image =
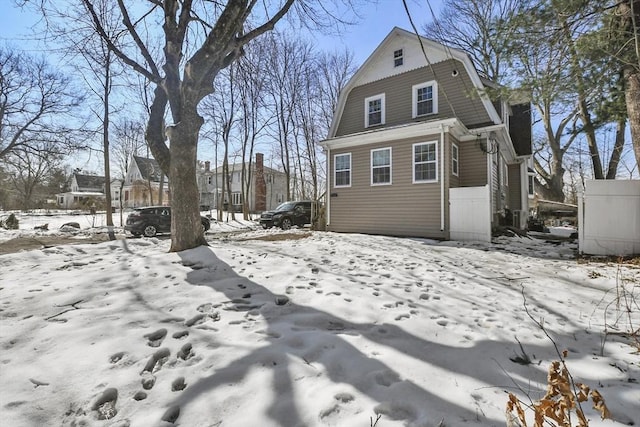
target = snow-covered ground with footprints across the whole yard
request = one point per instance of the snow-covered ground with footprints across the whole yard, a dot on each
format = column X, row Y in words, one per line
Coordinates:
column 267, row 328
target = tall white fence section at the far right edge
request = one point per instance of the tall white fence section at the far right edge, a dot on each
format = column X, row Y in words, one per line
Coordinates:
column 609, row 218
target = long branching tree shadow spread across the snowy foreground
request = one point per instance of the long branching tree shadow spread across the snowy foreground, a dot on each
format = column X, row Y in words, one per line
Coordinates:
column 301, row 340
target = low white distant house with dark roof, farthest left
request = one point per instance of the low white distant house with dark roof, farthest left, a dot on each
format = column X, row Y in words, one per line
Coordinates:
column 87, row 190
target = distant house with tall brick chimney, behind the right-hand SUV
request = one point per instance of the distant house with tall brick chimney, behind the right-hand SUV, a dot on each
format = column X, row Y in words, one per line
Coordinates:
column 267, row 188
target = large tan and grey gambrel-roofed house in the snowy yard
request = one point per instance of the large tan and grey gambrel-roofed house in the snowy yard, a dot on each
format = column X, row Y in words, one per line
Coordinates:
column 417, row 147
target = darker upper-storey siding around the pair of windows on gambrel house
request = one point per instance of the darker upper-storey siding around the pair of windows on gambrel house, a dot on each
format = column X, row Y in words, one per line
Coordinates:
column 458, row 90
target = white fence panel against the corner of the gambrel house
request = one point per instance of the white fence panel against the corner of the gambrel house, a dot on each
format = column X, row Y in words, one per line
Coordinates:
column 470, row 213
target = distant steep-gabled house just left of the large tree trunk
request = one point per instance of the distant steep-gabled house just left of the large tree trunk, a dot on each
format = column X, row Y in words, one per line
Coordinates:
column 142, row 184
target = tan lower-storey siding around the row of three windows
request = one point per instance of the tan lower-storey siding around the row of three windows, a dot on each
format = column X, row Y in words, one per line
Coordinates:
column 400, row 209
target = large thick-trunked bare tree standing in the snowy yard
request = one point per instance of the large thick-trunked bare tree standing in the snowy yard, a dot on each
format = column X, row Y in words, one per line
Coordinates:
column 184, row 77
